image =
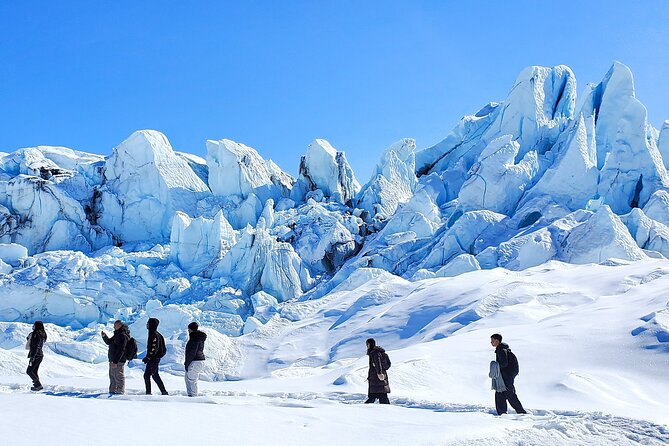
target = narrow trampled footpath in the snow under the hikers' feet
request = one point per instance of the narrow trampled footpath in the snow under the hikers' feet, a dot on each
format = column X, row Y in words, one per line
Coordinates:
column 540, row 427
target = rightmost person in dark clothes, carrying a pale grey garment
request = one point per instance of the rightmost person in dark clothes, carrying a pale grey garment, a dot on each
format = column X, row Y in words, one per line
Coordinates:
column 507, row 368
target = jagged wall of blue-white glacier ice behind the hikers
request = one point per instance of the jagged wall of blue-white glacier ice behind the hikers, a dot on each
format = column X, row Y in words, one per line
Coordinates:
column 542, row 175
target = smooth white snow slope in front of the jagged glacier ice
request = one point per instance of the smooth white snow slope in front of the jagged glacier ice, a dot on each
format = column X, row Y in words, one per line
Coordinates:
column 303, row 372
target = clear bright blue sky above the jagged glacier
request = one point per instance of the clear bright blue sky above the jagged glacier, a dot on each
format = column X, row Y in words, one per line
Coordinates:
column 277, row 74
